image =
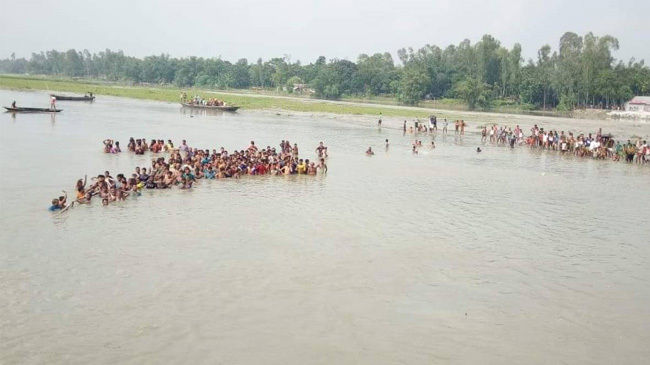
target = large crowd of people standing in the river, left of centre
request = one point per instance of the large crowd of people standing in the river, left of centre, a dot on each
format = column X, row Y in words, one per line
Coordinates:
column 184, row 166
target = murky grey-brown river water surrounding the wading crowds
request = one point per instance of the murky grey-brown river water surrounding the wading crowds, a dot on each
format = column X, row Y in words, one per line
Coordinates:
column 449, row 256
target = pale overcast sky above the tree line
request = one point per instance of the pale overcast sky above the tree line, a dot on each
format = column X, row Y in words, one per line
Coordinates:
column 306, row 29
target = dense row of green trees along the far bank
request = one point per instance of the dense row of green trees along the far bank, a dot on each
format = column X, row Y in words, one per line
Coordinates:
column 580, row 73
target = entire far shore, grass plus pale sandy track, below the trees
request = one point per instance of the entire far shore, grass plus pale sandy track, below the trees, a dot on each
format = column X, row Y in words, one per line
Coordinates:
column 265, row 101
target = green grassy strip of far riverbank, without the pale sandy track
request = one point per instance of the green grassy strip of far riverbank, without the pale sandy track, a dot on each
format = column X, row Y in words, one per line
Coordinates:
column 171, row 94
